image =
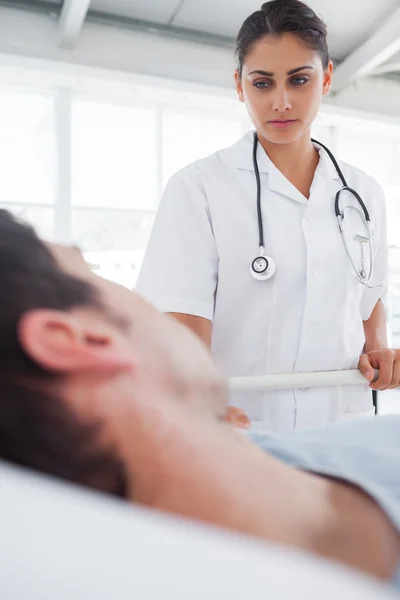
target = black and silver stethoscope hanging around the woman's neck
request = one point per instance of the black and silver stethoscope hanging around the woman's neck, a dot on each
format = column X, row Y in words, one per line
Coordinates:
column 263, row 267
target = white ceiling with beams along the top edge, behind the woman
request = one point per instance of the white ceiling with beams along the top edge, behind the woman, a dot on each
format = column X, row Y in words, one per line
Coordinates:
column 364, row 37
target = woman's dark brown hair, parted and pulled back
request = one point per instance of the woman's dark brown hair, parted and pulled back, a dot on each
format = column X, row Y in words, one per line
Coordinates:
column 278, row 17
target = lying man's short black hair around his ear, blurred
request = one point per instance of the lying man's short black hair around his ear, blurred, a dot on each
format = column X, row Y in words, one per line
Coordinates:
column 37, row 428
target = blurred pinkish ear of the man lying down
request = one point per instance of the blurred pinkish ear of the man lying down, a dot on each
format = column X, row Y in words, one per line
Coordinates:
column 67, row 342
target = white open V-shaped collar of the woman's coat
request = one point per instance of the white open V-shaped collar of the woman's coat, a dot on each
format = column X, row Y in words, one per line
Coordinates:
column 326, row 174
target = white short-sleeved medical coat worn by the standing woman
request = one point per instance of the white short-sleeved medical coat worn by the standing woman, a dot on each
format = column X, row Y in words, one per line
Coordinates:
column 308, row 317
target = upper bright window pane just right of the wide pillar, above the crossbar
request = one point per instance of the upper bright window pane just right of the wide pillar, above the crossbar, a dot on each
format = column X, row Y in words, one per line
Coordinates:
column 114, row 156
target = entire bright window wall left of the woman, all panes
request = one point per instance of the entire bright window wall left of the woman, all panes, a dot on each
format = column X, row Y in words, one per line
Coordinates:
column 120, row 158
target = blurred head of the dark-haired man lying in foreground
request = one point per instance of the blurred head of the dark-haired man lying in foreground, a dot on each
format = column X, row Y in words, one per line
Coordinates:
column 80, row 355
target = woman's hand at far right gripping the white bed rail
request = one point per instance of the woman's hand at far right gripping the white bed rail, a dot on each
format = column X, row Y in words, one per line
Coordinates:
column 387, row 360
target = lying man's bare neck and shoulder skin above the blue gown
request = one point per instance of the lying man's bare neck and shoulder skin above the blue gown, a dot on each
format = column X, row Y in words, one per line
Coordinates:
column 201, row 469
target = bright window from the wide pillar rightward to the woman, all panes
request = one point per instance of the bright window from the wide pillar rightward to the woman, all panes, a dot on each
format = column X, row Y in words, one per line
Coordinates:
column 118, row 170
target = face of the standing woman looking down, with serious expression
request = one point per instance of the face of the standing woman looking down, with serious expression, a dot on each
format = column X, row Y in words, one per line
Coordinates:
column 282, row 83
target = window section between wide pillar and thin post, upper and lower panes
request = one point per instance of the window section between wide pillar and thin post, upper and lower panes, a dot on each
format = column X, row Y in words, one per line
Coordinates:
column 115, row 186
